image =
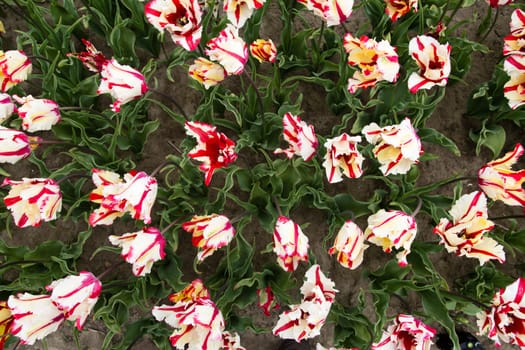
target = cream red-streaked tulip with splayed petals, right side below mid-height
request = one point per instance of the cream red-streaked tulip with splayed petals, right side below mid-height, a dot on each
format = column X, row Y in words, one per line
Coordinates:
column 464, row 234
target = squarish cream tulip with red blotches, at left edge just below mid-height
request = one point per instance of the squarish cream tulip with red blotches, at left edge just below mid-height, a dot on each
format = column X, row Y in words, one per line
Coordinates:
column 32, row 201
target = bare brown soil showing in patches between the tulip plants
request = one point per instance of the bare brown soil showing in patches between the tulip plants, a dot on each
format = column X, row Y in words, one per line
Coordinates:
column 448, row 119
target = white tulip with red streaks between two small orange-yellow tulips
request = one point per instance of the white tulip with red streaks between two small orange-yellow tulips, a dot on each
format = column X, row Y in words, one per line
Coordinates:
column 229, row 49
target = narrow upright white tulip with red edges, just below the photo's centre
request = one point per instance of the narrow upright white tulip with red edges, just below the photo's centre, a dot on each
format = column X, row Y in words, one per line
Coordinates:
column 290, row 244
